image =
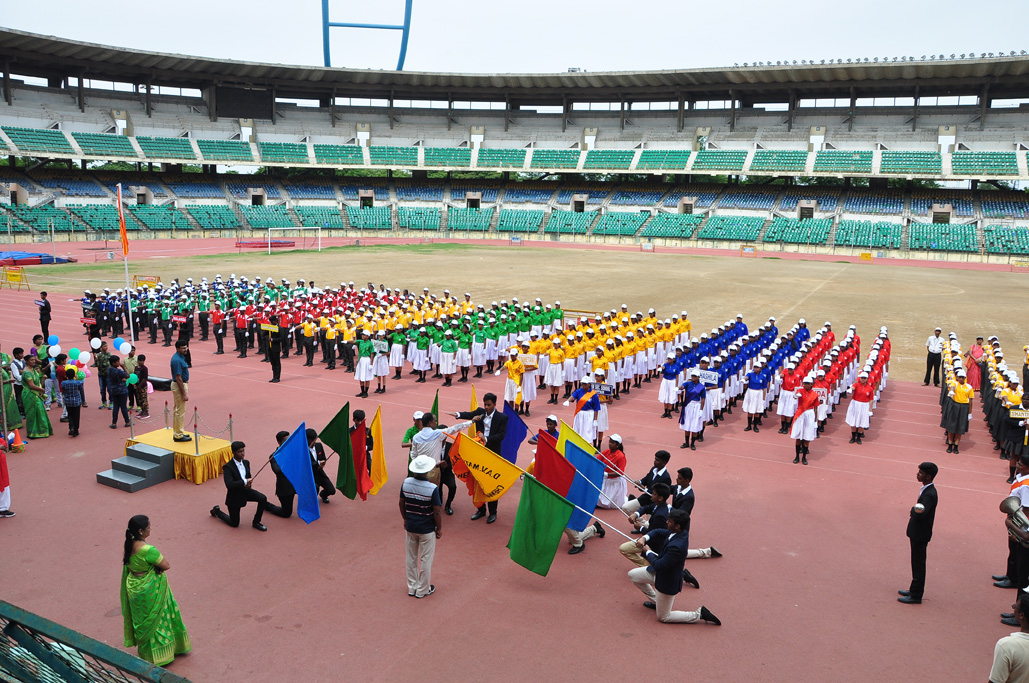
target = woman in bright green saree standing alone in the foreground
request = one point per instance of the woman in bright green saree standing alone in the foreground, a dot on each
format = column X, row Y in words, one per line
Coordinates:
column 152, row 618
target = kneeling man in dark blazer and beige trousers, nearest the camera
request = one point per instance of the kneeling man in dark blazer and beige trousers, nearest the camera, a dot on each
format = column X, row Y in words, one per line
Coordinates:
column 663, row 580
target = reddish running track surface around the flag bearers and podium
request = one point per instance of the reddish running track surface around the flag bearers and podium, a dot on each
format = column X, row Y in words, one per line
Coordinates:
column 806, row 590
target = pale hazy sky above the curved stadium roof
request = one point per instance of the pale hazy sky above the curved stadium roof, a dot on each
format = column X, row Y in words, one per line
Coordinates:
column 538, row 35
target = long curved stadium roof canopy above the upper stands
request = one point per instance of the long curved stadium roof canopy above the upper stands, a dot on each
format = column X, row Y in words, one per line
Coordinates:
column 34, row 55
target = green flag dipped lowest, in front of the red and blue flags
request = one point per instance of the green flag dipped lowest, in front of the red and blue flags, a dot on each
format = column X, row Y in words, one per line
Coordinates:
column 540, row 524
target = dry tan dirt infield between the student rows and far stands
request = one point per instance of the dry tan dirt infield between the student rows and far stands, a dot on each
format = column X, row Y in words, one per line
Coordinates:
column 910, row 301
